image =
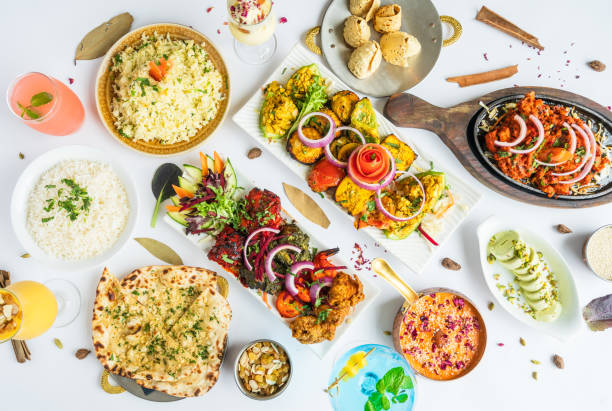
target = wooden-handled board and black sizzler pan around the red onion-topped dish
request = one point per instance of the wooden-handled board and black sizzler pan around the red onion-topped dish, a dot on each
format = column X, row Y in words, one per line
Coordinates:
column 458, row 128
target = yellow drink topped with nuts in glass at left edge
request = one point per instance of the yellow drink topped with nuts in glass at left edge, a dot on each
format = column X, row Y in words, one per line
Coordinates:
column 37, row 309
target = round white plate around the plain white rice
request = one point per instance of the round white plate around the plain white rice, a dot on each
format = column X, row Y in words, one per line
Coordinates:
column 28, row 180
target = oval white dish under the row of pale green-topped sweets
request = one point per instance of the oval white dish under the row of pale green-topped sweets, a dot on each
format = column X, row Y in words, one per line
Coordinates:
column 570, row 320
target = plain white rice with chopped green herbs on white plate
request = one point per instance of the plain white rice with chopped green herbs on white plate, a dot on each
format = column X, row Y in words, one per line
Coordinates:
column 94, row 230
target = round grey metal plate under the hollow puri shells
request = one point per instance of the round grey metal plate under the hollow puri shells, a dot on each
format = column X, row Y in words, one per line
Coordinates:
column 419, row 18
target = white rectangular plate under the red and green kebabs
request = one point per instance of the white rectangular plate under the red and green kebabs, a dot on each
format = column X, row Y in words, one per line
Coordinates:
column 205, row 242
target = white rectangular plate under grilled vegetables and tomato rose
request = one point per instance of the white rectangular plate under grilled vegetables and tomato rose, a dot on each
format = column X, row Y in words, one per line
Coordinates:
column 413, row 251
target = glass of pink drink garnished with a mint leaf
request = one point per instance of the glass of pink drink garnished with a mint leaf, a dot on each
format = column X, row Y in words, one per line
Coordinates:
column 63, row 115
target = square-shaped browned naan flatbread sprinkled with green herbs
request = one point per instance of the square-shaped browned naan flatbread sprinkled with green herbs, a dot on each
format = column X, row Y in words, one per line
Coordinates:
column 163, row 326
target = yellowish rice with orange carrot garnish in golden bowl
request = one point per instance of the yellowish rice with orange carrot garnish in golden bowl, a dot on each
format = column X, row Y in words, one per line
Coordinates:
column 173, row 109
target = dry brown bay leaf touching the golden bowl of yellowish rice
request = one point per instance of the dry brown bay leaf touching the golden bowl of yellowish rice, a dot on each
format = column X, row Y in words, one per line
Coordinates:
column 97, row 42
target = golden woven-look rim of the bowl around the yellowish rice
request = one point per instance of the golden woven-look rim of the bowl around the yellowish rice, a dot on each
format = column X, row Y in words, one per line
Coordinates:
column 104, row 91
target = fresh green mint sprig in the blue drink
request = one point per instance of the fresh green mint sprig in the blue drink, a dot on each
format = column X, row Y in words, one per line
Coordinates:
column 394, row 382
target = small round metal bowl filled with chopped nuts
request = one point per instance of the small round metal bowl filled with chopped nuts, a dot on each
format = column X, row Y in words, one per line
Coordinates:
column 263, row 368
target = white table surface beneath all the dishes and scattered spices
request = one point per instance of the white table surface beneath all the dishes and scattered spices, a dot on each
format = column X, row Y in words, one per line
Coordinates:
column 41, row 36
